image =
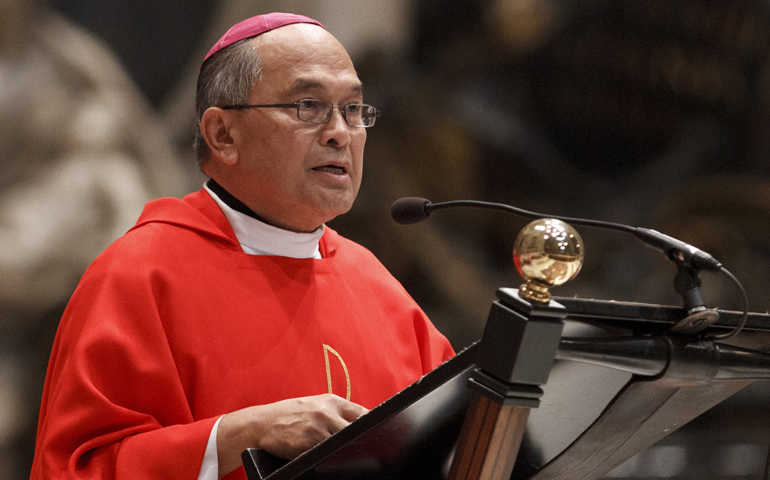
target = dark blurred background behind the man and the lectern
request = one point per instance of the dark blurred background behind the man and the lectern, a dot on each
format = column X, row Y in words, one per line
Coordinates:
column 645, row 112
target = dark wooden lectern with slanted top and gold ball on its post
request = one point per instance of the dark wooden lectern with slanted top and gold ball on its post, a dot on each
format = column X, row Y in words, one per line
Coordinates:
column 658, row 368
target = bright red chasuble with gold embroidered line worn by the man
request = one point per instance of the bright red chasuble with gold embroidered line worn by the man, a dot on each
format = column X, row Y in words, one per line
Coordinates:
column 174, row 326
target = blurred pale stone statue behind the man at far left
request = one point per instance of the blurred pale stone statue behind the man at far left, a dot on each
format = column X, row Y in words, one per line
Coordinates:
column 81, row 152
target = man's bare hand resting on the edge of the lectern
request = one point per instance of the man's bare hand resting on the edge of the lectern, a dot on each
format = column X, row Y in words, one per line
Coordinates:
column 285, row 429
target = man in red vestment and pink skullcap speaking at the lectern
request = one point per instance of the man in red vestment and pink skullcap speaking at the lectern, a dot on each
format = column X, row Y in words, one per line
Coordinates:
column 233, row 318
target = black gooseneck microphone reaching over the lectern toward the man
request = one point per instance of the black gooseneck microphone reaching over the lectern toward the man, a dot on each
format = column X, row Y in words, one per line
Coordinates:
column 410, row 210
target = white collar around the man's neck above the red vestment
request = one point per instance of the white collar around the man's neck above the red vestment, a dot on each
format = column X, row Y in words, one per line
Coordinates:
column 259, row 238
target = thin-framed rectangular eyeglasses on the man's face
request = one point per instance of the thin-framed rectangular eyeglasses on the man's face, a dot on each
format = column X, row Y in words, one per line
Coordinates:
column 319, row 111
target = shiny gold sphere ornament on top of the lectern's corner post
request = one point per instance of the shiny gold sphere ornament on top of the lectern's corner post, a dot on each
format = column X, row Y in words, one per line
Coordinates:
column 547, row 253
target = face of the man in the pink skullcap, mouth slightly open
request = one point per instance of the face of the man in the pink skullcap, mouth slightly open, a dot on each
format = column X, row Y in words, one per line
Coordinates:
column 295, row 174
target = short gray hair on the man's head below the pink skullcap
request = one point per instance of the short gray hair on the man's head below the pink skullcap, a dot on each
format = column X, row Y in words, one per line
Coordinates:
column 226, row 78
